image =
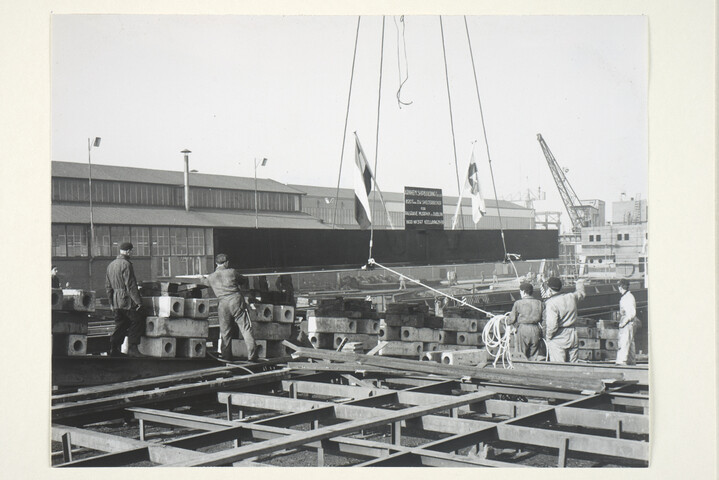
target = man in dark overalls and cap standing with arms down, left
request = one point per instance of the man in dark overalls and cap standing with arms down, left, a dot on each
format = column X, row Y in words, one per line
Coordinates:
column 125, row 303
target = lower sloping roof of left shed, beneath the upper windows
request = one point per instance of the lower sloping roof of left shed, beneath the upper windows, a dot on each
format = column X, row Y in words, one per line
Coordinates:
column 176, row 217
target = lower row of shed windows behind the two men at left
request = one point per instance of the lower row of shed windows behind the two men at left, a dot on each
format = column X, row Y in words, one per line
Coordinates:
column 72, row 241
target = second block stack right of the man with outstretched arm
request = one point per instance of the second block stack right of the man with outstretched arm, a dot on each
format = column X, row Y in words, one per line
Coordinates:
column 334, row 320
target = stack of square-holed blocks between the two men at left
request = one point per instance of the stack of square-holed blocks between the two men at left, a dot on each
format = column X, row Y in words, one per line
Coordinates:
column 175, row 327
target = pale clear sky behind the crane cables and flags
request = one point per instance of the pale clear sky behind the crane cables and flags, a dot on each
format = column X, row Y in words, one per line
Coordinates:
column 236, row 88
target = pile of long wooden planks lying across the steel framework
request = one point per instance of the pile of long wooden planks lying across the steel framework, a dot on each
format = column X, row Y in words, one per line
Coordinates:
column 585, row 381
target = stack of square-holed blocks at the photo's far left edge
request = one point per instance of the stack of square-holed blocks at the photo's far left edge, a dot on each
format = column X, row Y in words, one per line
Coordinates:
column 70, row 315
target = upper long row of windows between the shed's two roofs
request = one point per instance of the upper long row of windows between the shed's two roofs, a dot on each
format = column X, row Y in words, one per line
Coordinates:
column 126, row 193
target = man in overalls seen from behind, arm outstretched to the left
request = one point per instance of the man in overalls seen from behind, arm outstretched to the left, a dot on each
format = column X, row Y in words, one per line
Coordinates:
column 226, row 282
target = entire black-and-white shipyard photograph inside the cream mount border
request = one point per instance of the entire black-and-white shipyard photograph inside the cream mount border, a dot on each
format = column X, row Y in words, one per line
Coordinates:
column 374, row 241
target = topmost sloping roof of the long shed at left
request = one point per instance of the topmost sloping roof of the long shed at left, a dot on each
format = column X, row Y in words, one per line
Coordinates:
column 166, row 177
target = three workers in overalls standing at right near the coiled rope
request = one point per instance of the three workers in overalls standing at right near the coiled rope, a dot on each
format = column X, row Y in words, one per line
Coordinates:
column 552, row 323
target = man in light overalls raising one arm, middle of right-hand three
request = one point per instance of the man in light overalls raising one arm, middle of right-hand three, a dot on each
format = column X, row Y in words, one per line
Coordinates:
column 560, row 315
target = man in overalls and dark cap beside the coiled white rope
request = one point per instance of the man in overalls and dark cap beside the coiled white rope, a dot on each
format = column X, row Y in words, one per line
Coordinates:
column 527, row 313
